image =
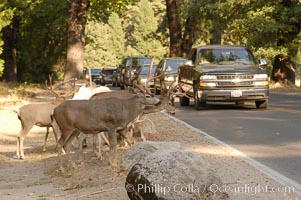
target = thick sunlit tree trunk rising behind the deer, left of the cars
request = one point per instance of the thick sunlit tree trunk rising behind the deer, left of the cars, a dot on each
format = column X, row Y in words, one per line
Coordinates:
column 78, row 13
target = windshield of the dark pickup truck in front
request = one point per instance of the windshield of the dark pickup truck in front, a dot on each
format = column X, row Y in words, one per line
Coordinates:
column 226, row 56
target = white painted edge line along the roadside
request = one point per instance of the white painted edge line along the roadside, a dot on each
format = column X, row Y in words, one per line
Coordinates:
column 283, row 180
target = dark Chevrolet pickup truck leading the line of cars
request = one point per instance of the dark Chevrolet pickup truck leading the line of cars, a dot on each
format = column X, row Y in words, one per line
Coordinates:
column 220, row 73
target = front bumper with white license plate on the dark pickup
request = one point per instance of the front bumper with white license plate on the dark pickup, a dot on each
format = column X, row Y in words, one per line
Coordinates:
column 233, row 95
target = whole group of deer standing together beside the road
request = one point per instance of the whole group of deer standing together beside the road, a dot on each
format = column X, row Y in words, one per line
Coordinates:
column 105, row 111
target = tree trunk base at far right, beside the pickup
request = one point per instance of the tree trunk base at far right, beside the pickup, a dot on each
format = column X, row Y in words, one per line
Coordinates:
column 283, row 70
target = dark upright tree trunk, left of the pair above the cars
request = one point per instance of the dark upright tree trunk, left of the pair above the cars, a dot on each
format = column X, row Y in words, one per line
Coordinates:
column 174, row 25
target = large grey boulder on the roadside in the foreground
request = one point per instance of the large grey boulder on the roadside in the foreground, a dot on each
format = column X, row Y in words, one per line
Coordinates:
column 167, row 173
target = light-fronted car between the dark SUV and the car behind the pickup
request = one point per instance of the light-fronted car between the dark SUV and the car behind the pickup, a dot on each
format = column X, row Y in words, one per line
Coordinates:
column 144, row 76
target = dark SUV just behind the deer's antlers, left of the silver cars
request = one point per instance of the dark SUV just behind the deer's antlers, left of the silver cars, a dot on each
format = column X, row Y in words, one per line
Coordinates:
column 130, row 68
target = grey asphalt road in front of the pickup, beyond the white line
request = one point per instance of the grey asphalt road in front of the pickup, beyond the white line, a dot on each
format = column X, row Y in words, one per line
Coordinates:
column 272, row 136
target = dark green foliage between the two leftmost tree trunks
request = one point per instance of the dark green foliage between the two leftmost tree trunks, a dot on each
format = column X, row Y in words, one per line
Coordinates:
column 43, row 39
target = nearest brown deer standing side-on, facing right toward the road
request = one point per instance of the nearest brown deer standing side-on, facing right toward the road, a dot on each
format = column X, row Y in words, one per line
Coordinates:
column 111, row 115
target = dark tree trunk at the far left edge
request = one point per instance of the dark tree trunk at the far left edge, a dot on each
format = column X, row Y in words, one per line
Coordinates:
column 10, row 35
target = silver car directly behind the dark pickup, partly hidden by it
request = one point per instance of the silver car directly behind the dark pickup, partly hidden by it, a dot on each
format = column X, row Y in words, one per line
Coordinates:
column 166, row 73
